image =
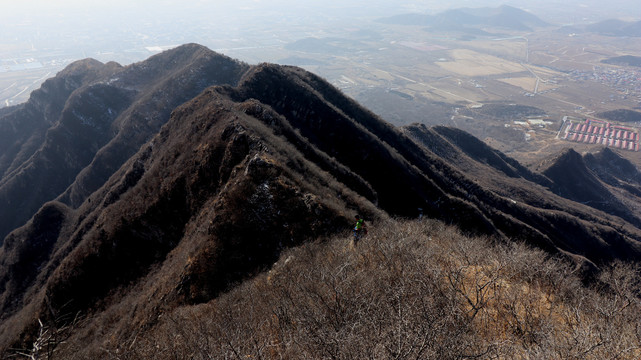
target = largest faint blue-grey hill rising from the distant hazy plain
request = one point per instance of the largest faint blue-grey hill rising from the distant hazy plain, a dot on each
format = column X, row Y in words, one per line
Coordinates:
column 465, row 19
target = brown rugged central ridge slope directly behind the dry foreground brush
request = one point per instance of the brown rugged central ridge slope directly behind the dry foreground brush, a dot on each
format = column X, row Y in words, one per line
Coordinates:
column 213, row 197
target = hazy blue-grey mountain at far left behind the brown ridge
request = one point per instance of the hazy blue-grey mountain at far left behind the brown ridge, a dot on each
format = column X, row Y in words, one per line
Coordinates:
column 89, row 120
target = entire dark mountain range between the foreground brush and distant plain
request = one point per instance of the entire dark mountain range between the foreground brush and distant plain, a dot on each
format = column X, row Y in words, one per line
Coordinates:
column 164, row 183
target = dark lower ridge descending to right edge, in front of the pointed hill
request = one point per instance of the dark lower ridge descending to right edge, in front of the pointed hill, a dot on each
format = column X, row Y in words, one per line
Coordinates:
column 522, row 205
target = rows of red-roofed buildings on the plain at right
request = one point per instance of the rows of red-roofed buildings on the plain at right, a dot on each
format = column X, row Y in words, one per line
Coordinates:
column 602, row 133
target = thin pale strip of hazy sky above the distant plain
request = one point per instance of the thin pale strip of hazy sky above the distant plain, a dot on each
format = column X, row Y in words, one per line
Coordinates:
column 56, row 8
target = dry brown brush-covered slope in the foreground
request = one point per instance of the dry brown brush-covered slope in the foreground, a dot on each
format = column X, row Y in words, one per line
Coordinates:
column 410, row 290
